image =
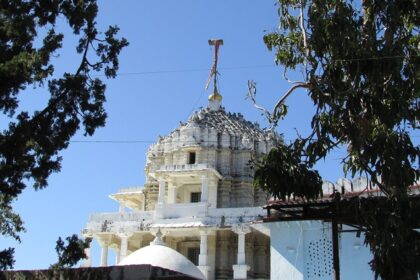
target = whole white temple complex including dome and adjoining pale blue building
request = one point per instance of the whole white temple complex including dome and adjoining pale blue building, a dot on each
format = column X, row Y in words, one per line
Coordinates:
column 199, row 214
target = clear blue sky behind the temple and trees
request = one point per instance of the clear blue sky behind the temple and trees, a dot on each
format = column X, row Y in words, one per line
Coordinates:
column 164, row 36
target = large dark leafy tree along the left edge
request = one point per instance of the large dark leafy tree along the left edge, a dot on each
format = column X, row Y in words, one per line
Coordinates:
column 30, row 145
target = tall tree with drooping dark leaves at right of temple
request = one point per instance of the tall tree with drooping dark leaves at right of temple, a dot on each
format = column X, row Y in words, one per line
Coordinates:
column 361, row 65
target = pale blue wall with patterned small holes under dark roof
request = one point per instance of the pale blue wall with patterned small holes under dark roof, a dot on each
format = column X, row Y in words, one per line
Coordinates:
column 303, row 250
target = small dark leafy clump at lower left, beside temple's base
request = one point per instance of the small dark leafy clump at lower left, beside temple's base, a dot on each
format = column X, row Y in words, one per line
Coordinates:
column 70, row 254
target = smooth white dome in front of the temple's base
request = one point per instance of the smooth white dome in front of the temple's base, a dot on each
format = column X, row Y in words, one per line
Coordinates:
column 165, row 257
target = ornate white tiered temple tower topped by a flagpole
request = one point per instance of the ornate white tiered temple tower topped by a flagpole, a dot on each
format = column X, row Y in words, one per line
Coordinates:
column 198, row 195
